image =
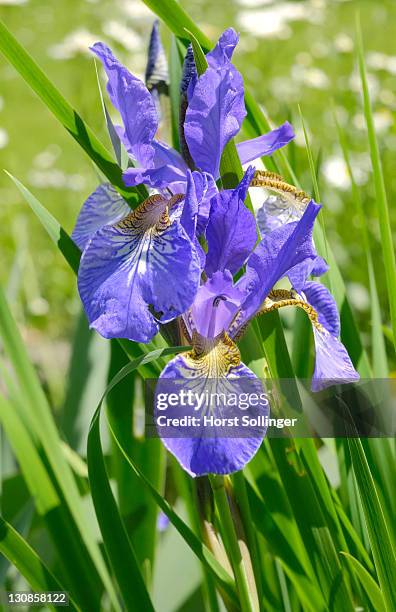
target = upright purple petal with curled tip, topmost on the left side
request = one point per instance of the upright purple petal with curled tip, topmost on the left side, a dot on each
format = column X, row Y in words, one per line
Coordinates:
column 132, row 99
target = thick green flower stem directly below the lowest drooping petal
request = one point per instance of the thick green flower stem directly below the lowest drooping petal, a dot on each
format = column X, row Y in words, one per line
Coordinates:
column 231, row 543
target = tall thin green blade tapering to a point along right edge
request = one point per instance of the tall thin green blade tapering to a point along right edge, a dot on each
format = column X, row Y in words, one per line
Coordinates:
column 389, row 259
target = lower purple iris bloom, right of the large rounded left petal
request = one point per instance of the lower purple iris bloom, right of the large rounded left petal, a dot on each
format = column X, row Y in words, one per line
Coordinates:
column 222, row 308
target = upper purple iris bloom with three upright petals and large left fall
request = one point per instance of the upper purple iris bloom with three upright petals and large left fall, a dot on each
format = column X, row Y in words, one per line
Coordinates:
column 141, row 269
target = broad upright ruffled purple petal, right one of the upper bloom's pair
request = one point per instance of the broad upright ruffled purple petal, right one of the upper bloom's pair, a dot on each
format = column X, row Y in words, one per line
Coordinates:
column 214, row 115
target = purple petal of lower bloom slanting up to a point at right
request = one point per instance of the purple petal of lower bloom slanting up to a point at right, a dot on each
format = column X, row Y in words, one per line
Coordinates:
column 277, row 253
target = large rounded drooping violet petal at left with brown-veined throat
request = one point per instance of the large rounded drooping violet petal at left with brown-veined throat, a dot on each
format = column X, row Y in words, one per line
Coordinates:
column 137, row 273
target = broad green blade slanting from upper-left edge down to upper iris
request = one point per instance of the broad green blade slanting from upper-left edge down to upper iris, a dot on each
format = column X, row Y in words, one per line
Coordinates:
column 66, row 115
